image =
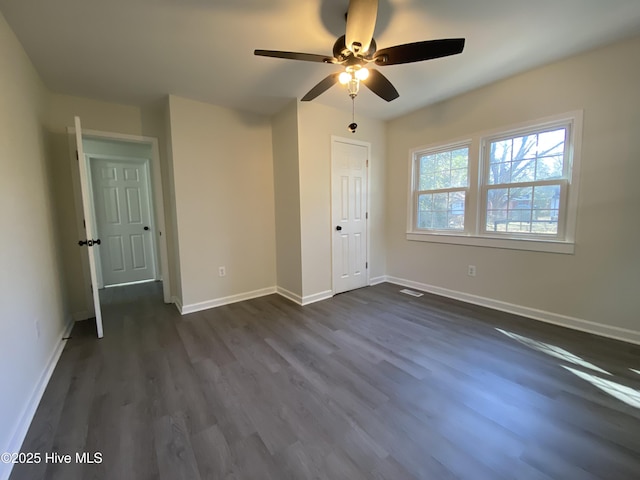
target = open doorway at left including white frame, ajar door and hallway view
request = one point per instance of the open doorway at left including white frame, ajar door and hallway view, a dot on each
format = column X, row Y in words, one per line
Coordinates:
column 120, row 210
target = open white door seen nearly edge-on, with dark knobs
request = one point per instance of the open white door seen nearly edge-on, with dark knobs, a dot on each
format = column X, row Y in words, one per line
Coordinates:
column 89, row 227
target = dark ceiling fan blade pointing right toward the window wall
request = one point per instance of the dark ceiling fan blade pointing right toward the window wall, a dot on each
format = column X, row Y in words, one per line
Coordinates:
column 419, row 51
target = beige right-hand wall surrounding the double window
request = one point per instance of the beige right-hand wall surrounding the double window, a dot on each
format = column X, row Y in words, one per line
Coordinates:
column 600, row 283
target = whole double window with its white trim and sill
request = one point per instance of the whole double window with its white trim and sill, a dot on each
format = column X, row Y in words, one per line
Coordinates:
column 513, row 188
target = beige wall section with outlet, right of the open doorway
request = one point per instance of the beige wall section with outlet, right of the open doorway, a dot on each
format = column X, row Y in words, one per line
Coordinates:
column 223, row 175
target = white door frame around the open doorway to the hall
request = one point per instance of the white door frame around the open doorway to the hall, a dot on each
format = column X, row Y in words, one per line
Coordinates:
column 157, row 197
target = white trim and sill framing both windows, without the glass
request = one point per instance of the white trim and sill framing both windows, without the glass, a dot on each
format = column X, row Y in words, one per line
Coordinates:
column 474, row 213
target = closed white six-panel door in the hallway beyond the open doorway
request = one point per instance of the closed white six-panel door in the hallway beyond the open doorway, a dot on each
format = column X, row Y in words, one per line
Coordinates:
column 123, row 216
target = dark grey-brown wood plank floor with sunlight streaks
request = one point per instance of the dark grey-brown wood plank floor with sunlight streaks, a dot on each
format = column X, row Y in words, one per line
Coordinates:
column 371, row 384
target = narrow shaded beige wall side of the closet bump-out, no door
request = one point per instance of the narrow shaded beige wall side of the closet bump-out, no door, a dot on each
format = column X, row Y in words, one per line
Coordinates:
column 286, row 173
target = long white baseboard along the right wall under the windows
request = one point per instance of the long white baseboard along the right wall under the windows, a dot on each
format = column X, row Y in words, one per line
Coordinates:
column 617, row 333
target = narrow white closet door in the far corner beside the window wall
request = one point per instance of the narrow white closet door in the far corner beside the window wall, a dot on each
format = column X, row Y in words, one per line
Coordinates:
column 349, row 213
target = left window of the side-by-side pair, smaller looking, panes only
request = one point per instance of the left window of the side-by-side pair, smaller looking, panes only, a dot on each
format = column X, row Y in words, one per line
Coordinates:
column 442, row 183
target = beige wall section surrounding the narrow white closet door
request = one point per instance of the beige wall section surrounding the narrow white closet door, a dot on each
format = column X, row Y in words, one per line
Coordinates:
column 316, row 124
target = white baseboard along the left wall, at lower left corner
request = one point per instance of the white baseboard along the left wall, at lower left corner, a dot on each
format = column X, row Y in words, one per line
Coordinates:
column 29, row 411
